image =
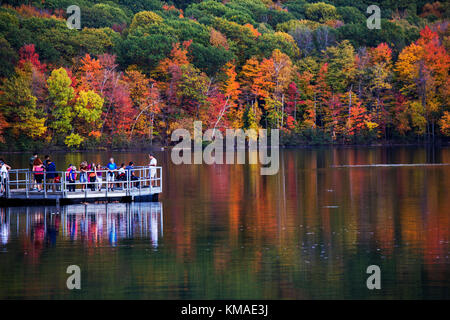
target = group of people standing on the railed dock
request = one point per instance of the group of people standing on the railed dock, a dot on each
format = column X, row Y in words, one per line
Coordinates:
column 89, row 175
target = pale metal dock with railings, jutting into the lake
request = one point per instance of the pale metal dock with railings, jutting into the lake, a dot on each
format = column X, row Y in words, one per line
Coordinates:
column 144, row 184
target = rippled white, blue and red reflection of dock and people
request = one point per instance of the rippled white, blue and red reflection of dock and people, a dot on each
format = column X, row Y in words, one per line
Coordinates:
column 106, row 223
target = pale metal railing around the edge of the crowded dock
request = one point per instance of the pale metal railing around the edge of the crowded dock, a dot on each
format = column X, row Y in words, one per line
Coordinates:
column 132, row 181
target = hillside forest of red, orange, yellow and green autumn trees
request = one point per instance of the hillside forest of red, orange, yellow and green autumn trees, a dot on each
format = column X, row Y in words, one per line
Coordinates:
column 138, row 69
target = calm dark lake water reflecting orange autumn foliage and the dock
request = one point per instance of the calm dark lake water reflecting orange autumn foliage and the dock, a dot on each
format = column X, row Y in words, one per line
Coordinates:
column 225, row 231
